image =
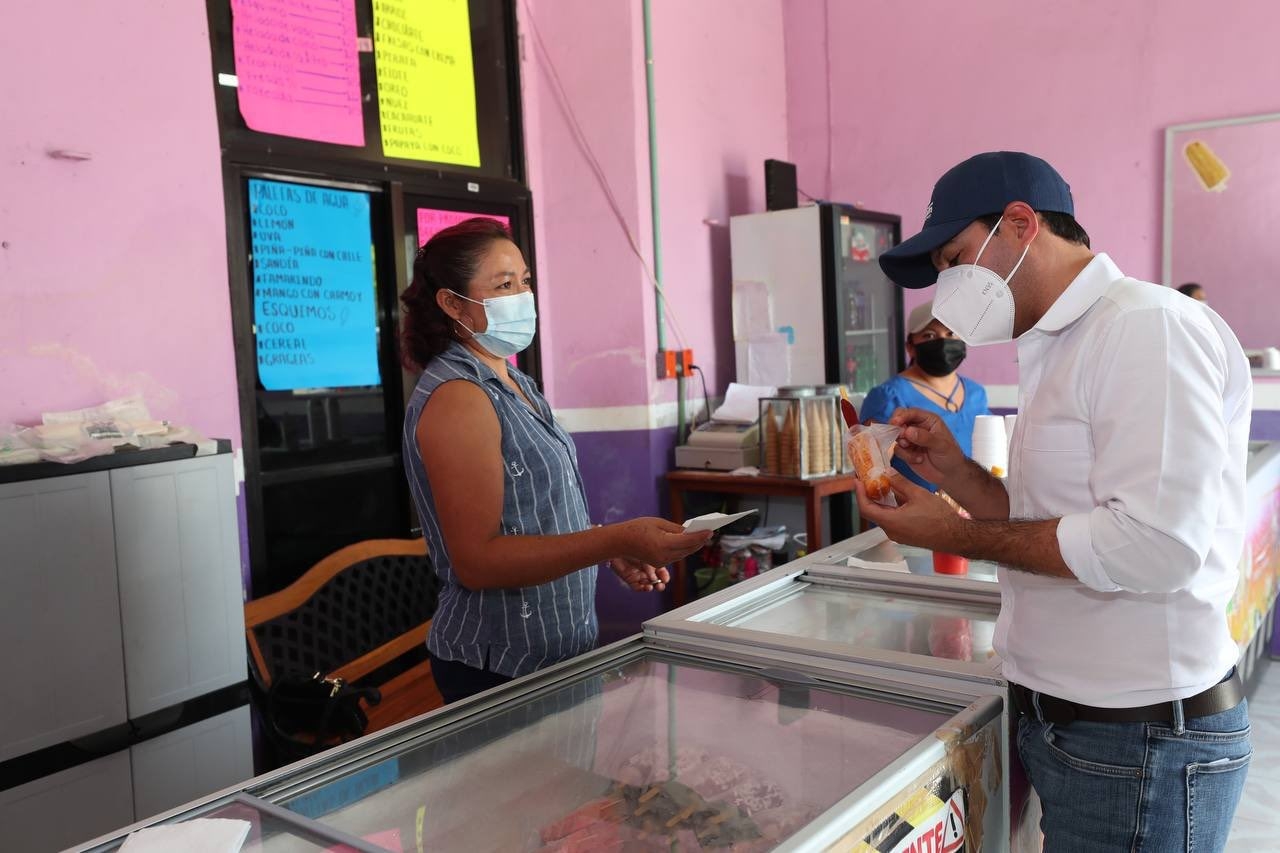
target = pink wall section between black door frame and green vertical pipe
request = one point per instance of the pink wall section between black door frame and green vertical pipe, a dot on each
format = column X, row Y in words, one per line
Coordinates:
column 597, row 316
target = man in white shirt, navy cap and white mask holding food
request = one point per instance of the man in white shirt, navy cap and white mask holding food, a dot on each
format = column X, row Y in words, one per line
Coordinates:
column 1121, row 530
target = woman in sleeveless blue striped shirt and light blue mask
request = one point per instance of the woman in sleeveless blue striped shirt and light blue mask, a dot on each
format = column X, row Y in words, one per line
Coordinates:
column 496, row 481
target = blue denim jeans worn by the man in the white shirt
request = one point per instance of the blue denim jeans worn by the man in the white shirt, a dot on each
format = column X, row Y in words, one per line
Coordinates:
column 1137, row 786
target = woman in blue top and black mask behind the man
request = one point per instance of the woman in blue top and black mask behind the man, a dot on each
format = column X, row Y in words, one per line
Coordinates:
column 931, row 384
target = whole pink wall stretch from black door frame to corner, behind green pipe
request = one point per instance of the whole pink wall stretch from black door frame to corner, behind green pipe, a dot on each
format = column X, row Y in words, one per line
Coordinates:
column 721, row 101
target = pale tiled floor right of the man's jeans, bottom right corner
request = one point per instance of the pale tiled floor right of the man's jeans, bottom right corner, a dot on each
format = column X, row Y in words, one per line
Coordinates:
column 1258, row 820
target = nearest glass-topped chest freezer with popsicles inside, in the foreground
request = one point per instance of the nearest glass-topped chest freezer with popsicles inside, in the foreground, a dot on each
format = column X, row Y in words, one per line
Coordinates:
column 651, row 745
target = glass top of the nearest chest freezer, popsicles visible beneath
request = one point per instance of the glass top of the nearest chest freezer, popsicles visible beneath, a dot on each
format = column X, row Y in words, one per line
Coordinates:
column 509, row 769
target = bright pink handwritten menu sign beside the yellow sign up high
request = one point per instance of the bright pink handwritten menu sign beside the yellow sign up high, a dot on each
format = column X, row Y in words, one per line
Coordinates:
column 299, row 70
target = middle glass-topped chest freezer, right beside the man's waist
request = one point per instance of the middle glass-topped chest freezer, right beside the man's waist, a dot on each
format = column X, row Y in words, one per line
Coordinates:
column 860, row 608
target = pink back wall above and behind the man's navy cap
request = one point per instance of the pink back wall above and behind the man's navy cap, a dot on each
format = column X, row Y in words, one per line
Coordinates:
column 1090, row 86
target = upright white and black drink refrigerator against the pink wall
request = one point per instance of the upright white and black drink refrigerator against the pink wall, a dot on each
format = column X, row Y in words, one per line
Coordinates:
column 811, row 304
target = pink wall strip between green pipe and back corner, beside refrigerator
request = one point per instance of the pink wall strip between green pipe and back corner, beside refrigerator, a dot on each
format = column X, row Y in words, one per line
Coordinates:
column 721, row 95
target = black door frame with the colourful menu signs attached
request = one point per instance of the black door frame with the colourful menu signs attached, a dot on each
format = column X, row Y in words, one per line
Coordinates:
column 252, row 156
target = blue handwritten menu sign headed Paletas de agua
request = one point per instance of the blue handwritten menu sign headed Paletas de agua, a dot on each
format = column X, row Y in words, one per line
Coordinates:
column 314, row 311
